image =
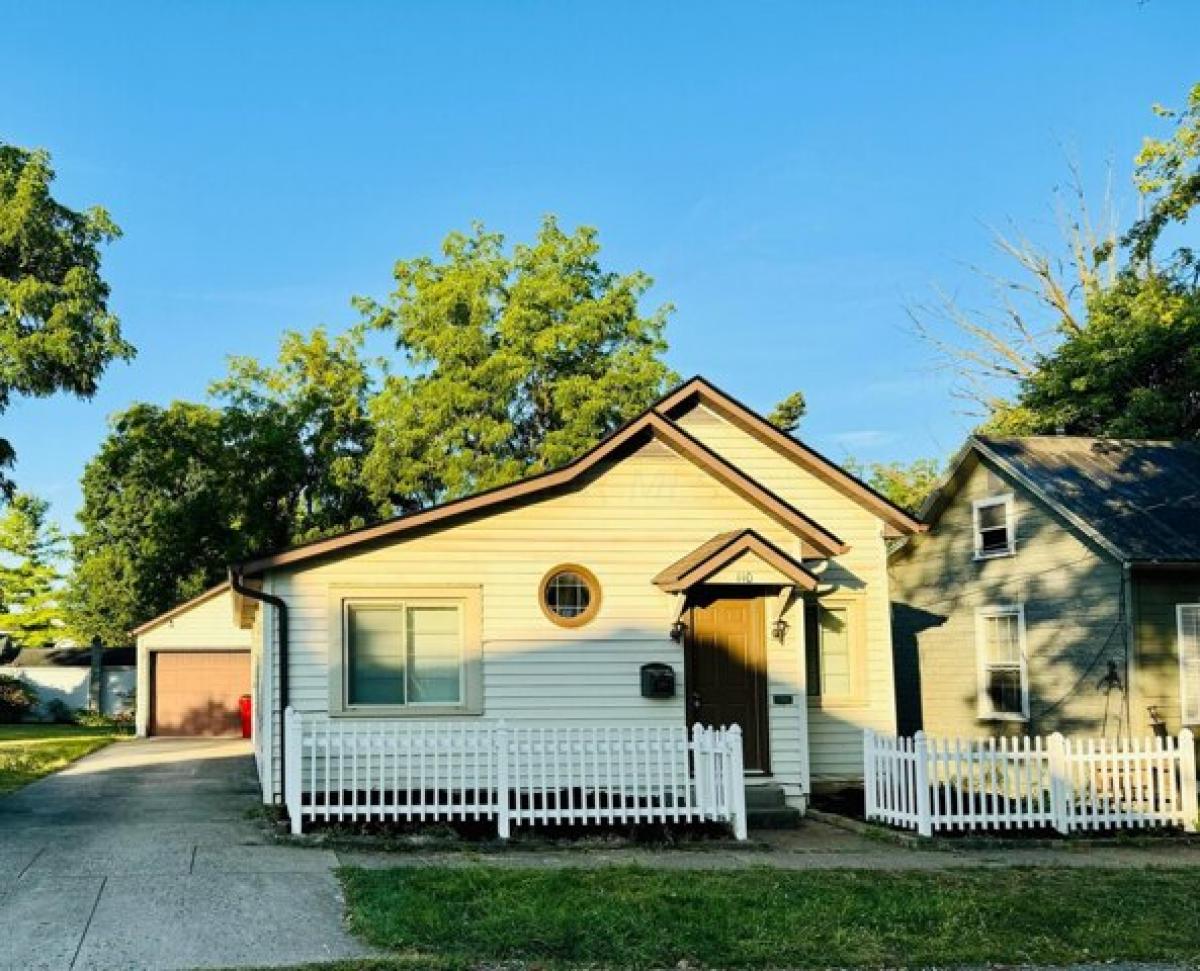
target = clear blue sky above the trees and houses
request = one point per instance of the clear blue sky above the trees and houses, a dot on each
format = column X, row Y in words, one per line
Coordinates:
column 793, row 176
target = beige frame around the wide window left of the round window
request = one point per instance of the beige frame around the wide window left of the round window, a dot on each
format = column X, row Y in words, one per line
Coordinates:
column 470, row 603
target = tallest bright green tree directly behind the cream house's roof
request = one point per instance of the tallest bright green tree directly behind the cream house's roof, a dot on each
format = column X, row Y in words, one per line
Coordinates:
column 518, row 363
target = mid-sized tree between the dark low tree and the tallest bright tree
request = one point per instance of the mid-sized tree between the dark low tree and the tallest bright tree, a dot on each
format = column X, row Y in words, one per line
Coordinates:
column 311, row 409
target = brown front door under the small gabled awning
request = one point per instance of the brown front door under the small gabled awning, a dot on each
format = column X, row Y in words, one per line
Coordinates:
column 725, row 668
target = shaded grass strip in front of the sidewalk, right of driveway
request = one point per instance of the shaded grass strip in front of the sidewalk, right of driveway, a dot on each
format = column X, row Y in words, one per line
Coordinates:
column 628, row 918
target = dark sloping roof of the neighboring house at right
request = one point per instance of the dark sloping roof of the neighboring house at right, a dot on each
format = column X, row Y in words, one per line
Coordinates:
column 1139, row 499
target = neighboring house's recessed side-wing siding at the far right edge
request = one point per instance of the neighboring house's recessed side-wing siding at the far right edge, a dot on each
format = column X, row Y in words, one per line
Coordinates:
column 1156, row 596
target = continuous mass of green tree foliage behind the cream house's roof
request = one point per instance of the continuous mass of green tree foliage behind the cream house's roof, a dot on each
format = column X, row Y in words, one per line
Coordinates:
column 517, row 362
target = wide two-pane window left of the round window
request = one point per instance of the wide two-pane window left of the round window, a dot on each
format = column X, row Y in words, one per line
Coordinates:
column 406, row 655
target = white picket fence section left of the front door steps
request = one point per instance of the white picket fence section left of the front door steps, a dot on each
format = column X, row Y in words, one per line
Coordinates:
column 394, row 771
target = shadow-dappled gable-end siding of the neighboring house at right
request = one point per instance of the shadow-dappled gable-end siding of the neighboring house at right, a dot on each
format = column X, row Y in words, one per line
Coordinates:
column 1073, row 596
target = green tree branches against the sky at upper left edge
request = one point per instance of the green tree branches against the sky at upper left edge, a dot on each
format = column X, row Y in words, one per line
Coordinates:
column 57, row 333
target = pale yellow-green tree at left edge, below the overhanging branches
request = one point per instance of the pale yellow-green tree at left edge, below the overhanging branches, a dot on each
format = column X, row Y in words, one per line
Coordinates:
column 31, row 549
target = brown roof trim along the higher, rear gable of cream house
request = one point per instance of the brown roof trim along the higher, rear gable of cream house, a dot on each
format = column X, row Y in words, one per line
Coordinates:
column 830, row 472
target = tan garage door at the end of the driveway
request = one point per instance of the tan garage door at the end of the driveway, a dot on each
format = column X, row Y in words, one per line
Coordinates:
column 197, row 692
